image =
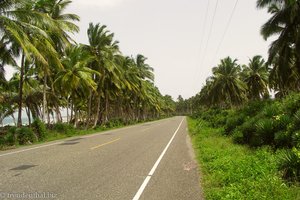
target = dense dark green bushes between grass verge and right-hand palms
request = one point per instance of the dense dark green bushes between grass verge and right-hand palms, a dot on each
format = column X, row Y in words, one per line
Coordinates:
column 275, row 123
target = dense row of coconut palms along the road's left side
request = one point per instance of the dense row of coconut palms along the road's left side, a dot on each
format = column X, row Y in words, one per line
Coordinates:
column 95, row 82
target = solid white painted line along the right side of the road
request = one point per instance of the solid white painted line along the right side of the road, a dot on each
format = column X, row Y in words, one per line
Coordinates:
column 147, row 179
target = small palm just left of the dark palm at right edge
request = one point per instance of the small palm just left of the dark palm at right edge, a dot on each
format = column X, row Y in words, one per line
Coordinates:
column 256, row 76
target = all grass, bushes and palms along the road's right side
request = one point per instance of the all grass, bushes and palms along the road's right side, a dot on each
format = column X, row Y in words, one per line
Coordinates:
column 245, row 121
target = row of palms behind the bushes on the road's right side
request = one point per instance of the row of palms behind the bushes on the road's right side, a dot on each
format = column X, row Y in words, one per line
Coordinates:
column 232, row 84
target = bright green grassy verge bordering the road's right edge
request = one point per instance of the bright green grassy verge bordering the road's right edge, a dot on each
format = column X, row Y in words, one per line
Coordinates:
column 231, row 171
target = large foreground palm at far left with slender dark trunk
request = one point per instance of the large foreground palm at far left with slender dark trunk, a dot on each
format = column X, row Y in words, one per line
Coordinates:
column 26, row 32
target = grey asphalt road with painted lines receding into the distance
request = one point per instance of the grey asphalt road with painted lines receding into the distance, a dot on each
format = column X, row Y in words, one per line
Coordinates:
column 147, row 161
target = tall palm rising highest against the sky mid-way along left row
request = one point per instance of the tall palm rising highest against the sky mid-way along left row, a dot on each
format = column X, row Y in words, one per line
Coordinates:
column 103, row 48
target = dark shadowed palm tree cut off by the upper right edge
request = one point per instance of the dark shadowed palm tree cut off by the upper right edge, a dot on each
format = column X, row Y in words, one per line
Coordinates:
column 284, row 52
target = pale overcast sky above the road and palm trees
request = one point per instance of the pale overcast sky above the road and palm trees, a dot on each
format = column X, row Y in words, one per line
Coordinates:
column 180, row 38
